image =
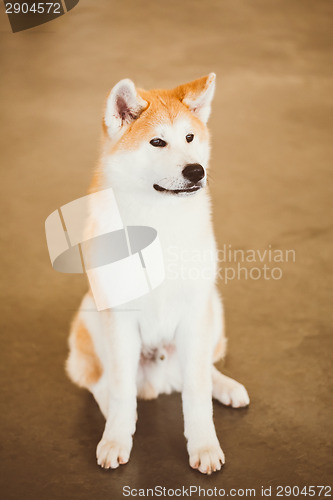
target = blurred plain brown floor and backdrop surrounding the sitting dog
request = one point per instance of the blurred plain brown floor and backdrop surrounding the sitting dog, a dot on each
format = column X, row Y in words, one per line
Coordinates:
column 271, row 185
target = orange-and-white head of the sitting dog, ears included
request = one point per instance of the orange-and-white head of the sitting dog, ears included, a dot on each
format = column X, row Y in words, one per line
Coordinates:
column 158, row 140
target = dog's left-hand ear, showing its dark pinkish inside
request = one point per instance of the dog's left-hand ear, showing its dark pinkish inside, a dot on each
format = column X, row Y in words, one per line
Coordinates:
column 123, row 106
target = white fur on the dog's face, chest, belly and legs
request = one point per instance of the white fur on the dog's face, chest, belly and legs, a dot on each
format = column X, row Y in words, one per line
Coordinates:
column 182, row 320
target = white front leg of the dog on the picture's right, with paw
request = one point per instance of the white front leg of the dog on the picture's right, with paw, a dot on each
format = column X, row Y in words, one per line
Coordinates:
column 195, row 351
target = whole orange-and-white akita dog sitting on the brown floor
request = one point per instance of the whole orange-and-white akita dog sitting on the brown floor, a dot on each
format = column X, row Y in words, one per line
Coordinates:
column 155, row 153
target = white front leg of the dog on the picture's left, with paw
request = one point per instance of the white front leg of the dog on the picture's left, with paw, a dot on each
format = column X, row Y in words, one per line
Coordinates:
column 122, row 349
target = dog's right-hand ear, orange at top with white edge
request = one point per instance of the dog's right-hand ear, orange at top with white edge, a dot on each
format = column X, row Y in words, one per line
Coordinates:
column 198, row 95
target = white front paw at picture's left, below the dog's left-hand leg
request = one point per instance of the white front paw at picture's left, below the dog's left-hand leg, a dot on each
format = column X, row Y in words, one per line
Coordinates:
column 112, row 453
